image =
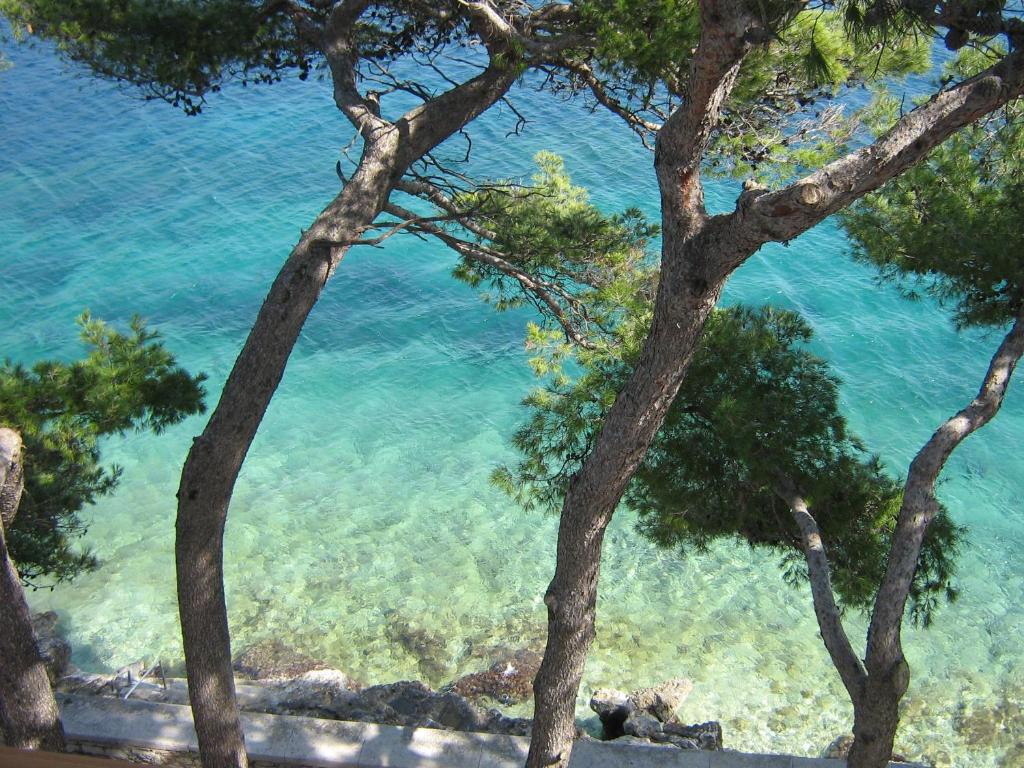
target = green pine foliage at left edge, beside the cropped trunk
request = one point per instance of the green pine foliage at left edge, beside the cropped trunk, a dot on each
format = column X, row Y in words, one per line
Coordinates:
column 126, row 382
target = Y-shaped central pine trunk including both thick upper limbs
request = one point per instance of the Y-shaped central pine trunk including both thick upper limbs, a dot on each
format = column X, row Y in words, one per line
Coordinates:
column 699, row 254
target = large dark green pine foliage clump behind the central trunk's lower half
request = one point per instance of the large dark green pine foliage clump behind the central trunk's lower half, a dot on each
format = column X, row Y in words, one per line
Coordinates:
column 755, row 407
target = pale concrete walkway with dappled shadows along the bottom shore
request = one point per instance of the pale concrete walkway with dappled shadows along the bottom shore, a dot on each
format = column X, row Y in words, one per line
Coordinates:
column 118, row 729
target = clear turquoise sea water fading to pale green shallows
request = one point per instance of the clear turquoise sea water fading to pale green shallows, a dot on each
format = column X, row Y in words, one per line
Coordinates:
column 364, row 530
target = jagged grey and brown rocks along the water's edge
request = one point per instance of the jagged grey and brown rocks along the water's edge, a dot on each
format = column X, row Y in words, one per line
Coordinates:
column 277, row 680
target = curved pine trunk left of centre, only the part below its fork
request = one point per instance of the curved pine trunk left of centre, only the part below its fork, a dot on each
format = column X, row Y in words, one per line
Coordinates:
column 217, row 456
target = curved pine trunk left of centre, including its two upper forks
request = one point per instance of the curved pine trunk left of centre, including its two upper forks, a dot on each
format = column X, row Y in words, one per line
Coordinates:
column 217, row 457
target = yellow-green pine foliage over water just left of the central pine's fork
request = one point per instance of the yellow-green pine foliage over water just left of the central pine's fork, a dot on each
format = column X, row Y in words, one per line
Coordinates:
column 593, row 265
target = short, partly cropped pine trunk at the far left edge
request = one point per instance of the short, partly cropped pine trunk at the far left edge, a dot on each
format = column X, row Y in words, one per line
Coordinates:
column 29, row 713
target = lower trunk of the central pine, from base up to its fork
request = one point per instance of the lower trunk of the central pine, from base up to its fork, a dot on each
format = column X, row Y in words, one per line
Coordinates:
column 687, row 297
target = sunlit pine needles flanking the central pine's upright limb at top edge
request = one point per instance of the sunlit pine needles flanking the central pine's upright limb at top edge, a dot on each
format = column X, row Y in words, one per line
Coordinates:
column 783, row 116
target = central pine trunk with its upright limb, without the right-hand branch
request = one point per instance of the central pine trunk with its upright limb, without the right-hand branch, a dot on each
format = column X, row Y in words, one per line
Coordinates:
column 689, row 291
